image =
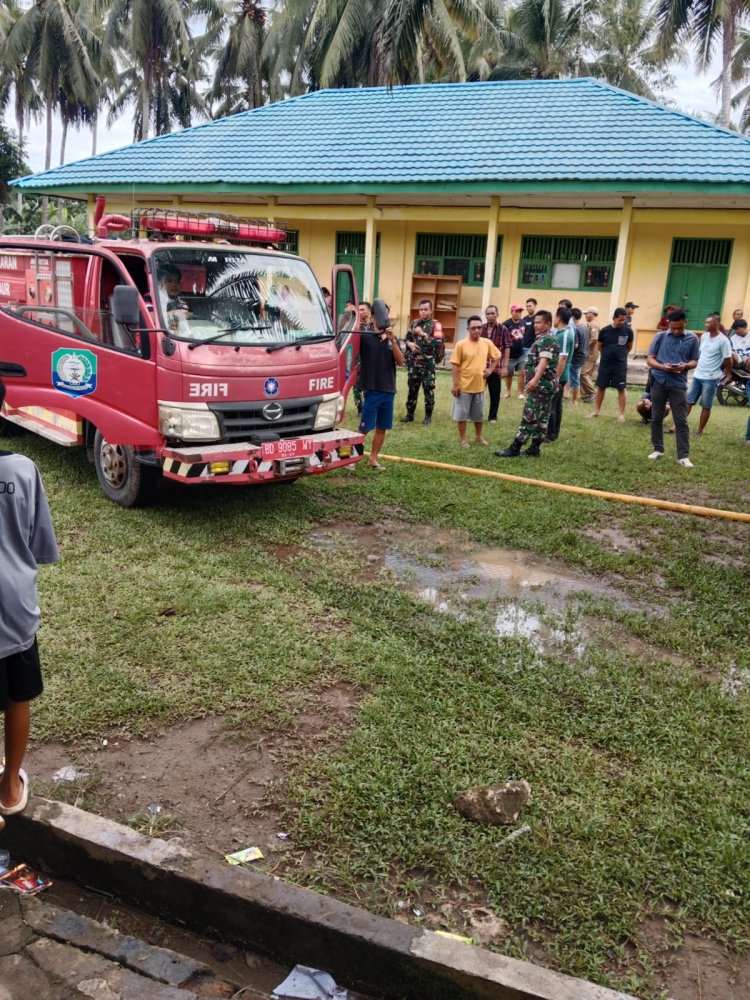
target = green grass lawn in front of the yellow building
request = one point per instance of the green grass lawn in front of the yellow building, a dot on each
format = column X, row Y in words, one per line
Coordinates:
column 216, row 601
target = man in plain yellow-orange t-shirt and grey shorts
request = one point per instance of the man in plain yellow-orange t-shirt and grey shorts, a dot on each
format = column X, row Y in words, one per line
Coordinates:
column 473, row 360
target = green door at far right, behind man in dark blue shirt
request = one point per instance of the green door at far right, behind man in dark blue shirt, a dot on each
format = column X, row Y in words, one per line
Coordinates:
column 698, row 278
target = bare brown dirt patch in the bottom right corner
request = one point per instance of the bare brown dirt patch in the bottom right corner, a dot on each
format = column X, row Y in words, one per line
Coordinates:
column 697, row 969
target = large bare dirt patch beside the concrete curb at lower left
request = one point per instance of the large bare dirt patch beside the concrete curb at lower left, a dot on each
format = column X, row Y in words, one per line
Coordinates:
column 213, row 787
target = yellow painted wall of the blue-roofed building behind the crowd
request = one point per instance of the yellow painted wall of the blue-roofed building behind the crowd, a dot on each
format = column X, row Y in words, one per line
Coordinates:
column 646, row 267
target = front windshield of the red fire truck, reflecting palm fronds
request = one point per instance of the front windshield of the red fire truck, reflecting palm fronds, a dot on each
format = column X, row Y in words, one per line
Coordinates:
column 226, row 295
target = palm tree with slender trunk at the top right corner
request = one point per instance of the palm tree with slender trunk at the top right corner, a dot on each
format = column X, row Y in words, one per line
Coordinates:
column 705, row 23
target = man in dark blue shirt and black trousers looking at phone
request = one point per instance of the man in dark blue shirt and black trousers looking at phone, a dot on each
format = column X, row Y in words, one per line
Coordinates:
column 671, row 356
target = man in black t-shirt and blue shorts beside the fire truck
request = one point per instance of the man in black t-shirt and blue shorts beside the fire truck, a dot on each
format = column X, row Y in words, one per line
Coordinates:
column 379, row 354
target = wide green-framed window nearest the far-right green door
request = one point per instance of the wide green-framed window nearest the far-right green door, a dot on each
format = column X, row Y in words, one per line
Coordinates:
column 567, row 263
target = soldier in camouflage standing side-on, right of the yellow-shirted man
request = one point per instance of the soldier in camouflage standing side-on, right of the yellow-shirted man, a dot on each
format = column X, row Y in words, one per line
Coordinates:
column 541, row 385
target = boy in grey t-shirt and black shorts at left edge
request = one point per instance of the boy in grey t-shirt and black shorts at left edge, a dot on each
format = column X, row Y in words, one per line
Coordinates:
column 26, row 540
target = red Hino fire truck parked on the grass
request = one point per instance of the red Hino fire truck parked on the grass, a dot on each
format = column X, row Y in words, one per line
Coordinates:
column 194, row 350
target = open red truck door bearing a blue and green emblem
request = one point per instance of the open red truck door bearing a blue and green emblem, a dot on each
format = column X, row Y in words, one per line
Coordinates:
column 79, row 365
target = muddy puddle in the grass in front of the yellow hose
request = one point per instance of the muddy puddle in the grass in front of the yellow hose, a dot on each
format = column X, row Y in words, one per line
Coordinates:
column 530, row 596
